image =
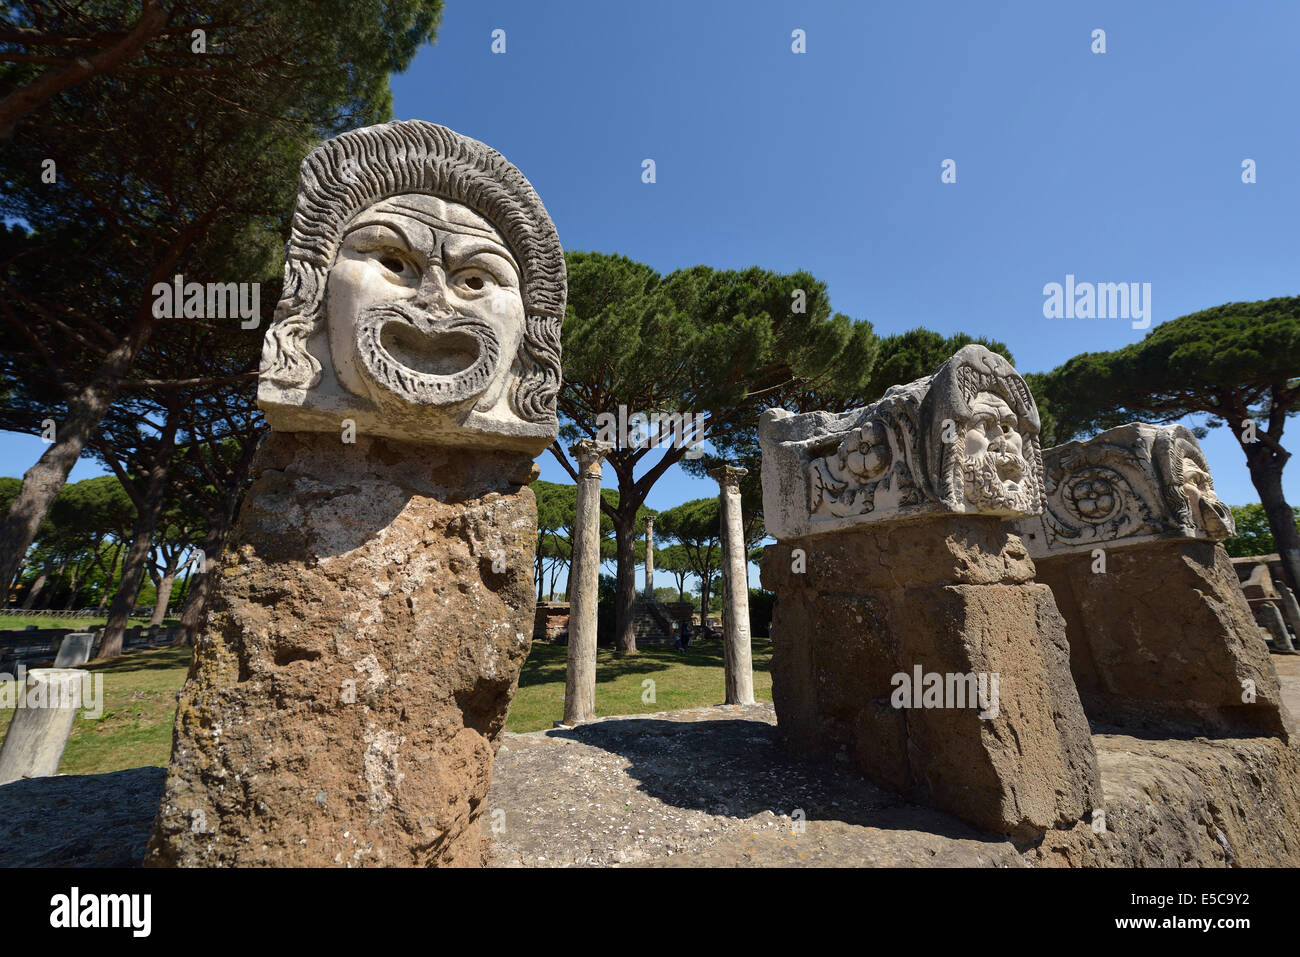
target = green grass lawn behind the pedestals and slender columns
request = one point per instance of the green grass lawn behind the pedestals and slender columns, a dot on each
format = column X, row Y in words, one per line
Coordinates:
column 140, row 698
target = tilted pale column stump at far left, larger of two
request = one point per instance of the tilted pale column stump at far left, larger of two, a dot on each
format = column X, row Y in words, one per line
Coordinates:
column 42, row 722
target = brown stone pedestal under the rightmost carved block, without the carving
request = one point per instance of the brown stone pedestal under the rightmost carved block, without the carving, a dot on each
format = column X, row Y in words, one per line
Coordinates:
column 1164, row 639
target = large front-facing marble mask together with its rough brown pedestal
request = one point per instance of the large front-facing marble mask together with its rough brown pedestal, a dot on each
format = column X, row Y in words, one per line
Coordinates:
column 375, row 605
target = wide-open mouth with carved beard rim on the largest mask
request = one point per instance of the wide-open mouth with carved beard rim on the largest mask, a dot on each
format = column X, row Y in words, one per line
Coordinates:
column 427, row 362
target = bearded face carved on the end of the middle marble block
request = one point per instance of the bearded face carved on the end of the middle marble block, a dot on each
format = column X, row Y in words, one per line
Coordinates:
column 993, row 457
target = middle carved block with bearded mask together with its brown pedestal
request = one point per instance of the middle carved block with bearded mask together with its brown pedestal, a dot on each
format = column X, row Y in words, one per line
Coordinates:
column 909, row 635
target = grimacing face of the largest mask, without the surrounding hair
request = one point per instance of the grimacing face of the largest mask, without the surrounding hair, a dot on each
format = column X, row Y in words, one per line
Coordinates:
column 424, row 306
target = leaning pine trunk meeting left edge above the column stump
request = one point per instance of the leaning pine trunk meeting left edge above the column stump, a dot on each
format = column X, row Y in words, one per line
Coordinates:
column 47, row 478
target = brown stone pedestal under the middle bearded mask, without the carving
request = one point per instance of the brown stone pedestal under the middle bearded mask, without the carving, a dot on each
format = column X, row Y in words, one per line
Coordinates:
column 865, row 613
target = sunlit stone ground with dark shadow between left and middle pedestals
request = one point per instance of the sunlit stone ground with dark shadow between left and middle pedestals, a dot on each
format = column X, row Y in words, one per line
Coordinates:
column 704, row 787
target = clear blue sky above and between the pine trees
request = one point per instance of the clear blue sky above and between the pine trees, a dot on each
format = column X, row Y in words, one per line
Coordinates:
column 1123, row 167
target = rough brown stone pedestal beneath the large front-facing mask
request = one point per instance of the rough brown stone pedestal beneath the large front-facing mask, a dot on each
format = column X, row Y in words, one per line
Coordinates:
column 366, row 638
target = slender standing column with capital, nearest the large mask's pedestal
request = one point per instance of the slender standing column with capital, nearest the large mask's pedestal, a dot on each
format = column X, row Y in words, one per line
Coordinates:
column 584, row 581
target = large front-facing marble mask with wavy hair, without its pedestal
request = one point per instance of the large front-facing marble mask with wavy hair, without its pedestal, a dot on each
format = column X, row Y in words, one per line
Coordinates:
column 424, row 292
